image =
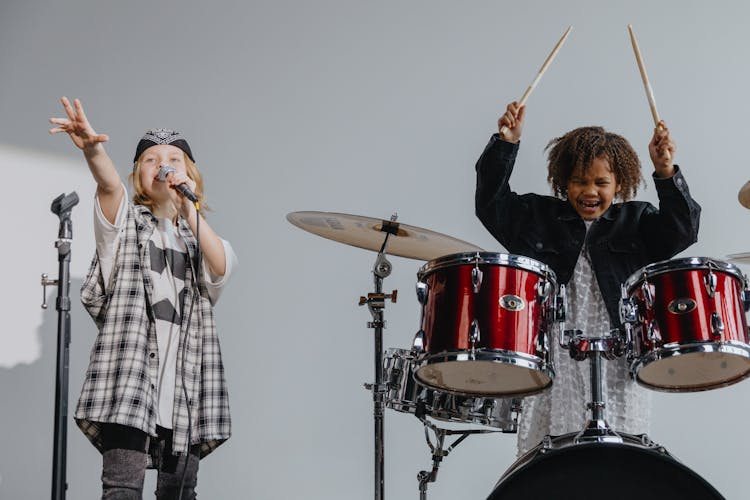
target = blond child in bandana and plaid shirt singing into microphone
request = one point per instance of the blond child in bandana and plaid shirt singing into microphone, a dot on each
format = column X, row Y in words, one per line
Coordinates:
column 154, row 394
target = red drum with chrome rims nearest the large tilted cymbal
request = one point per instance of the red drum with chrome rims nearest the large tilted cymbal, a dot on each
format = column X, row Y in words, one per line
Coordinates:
column 484, row 327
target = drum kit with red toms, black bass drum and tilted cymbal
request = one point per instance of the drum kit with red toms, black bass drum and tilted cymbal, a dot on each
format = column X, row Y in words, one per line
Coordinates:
column 486, row 326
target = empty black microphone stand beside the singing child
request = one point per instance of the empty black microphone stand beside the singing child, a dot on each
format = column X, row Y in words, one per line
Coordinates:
column 62, row 207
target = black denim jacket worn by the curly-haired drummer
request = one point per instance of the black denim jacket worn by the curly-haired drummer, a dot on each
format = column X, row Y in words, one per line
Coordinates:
column 627, row 237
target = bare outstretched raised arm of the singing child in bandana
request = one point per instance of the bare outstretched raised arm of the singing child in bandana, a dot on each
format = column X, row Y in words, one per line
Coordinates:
column 109, row 185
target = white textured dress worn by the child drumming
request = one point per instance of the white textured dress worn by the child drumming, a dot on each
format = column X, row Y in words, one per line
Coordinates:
column 561, row 409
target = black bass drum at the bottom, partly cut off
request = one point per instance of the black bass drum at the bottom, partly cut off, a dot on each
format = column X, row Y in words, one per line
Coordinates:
column 634, row 469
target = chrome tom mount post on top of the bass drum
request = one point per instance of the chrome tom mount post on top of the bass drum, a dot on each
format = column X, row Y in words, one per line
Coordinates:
column 610, row 346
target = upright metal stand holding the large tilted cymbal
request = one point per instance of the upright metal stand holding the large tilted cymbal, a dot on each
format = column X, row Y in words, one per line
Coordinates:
column 376, row 303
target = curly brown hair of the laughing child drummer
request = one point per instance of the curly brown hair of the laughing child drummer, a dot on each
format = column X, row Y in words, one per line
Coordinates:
column 575, row 151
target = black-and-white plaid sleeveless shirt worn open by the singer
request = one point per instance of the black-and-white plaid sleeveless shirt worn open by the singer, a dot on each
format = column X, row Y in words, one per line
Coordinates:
column 119, row 386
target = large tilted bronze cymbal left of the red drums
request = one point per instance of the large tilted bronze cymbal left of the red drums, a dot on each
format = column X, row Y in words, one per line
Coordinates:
column 366, row 232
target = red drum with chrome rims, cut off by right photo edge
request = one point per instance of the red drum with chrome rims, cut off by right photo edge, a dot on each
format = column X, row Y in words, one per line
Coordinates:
column 689, row 326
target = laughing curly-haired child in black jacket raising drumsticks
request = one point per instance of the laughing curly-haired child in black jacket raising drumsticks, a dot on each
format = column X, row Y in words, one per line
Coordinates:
column 593, row 245
